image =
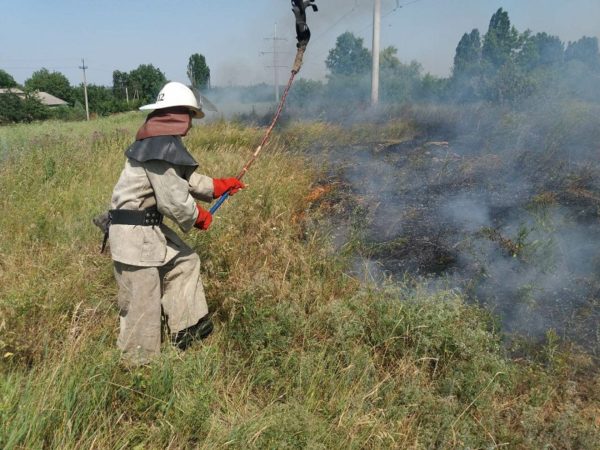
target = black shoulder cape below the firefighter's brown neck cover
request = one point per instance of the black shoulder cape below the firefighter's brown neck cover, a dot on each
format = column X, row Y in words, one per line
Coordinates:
column 164, row 148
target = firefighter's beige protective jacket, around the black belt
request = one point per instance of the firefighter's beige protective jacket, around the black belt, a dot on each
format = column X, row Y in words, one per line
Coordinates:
column 169, row 187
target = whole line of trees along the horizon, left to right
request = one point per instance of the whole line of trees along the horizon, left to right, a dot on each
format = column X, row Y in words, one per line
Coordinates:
column 502, row 66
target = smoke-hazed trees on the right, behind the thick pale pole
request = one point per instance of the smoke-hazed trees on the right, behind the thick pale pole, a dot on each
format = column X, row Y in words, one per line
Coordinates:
column 503, row 66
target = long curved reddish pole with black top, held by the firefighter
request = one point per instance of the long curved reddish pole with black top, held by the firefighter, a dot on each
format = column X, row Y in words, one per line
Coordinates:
column 303, row 35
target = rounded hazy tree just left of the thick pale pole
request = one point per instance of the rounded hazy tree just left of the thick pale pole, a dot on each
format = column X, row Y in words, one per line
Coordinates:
column 349, row 56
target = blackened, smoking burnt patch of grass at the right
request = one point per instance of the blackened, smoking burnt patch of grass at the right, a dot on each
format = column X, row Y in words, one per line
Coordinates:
column 511, row 223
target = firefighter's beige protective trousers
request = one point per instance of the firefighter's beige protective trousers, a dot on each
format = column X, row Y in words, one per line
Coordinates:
column 145, row 293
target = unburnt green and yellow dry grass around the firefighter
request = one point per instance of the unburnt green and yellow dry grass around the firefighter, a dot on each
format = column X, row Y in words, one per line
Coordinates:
column 303, row 356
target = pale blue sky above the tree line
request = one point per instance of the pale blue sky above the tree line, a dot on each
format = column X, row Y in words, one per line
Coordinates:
column 235, row 36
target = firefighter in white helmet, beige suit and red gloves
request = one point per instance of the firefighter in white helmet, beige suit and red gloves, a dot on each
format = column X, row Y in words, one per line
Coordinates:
column 156, row 272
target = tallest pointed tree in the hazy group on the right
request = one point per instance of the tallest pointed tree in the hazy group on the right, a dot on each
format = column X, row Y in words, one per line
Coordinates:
column 500, row 42
